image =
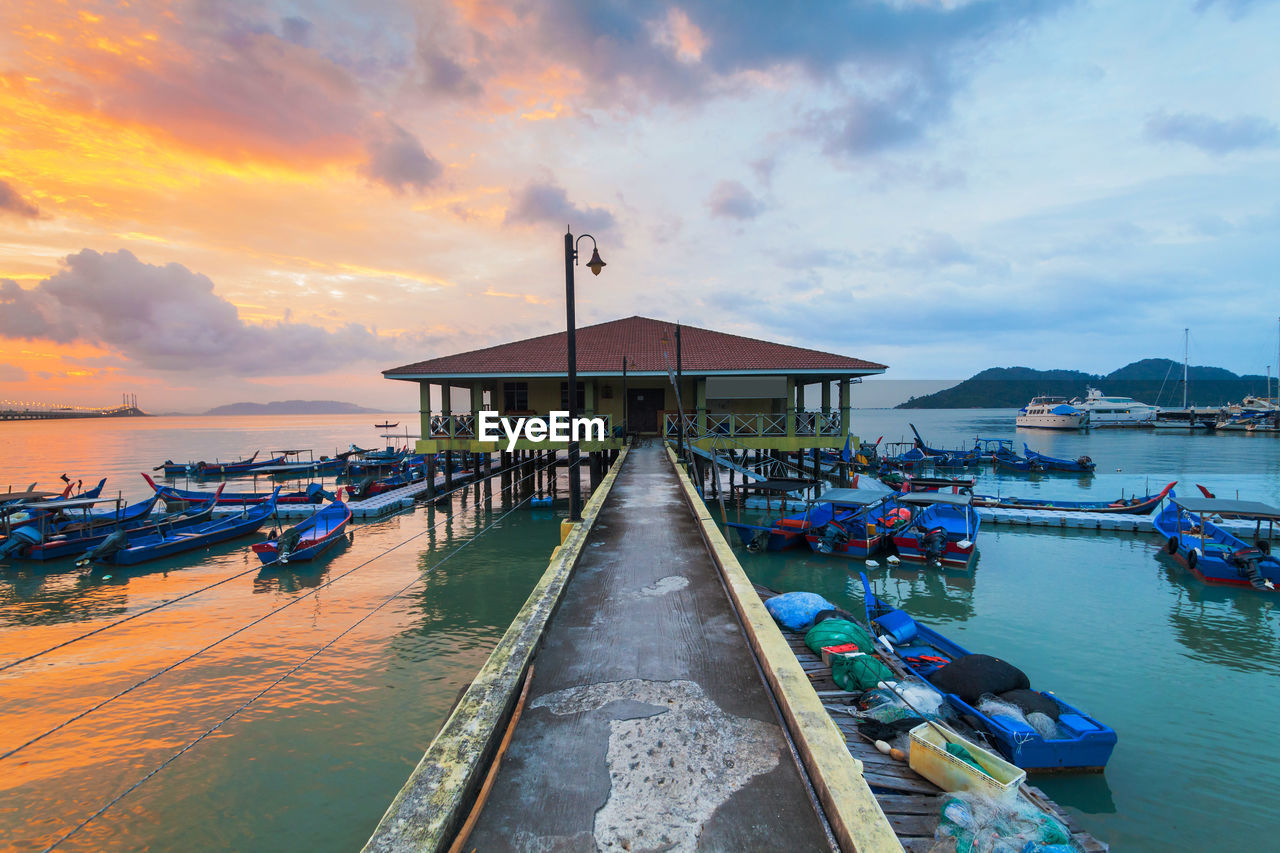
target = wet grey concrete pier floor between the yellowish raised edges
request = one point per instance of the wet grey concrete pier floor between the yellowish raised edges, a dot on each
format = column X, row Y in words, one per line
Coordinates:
column 648, row 726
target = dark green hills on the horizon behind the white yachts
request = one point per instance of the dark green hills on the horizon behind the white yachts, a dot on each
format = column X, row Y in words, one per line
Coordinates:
column 1154, row 381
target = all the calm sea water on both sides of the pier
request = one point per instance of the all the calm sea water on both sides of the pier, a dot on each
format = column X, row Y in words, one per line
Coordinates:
column 1186, row 673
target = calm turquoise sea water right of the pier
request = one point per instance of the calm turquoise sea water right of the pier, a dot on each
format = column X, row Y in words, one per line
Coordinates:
column 1186, row 673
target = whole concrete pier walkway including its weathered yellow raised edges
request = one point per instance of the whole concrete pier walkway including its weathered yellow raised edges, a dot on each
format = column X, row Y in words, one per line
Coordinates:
column 639, row 703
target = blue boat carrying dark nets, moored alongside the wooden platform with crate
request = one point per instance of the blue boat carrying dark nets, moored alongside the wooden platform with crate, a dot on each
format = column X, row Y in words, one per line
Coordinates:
column 1078, row 742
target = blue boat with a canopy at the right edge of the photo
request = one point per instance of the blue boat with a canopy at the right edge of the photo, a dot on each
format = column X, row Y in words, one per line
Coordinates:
column 1213, row 554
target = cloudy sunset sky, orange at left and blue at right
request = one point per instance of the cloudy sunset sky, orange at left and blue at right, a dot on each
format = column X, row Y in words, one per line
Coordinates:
column 205, row 203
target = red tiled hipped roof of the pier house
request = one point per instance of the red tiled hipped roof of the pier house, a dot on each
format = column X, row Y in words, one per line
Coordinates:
column 602, row 346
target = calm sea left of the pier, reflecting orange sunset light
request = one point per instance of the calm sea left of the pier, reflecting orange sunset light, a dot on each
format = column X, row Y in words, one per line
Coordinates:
column 313, row 764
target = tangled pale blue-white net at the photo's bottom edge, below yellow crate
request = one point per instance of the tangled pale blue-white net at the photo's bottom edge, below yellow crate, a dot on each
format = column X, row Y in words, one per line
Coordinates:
column 981, row 824
